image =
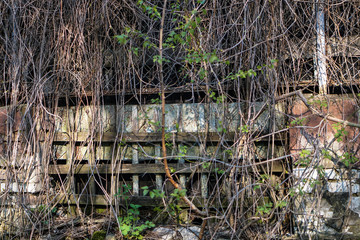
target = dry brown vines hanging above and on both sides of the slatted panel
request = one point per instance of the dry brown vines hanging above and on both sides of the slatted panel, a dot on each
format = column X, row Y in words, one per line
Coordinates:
column 64, row 53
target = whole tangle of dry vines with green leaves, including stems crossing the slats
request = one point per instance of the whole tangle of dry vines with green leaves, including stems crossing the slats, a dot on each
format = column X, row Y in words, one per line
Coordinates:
column 243, row 62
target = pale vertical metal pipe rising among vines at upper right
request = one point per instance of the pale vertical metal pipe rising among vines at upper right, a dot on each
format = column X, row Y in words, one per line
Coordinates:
column 320, row 53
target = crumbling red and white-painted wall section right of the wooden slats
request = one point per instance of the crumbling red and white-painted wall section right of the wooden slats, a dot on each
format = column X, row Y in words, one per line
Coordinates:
column 326, row 175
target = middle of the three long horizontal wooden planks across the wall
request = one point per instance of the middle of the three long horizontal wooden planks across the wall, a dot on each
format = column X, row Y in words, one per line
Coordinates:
column 145, row 168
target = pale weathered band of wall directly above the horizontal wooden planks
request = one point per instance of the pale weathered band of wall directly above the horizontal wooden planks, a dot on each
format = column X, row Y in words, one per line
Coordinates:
column 192, row 117
